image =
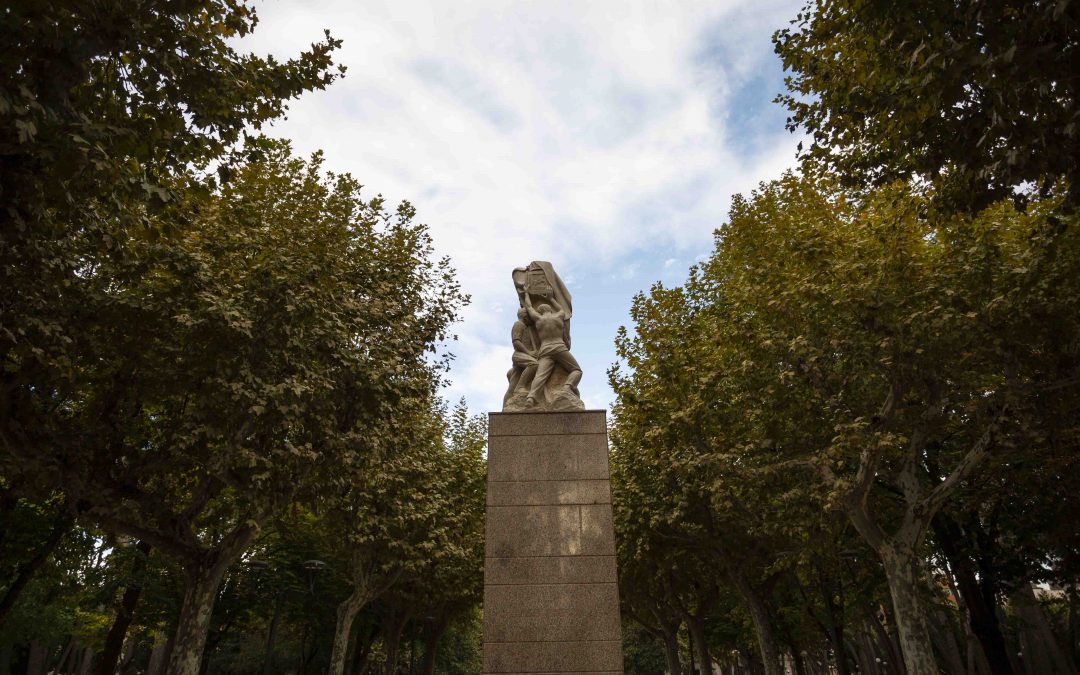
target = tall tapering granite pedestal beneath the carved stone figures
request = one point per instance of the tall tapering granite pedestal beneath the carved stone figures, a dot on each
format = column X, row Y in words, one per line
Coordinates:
column 551, row 603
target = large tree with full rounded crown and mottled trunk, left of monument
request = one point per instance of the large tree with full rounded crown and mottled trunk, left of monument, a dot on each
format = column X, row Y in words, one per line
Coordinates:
column 242, row 363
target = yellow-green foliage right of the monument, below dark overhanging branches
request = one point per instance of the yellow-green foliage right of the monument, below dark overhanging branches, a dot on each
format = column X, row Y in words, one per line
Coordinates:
column 845, row 363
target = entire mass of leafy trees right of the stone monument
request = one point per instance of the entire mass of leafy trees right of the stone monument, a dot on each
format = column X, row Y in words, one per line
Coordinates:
column 849, row 442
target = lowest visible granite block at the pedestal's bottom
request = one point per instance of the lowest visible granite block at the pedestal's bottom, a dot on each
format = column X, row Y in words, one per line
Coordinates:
column 562, row 657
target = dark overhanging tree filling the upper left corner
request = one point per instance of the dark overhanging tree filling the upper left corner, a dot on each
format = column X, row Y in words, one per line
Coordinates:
column 106, row 110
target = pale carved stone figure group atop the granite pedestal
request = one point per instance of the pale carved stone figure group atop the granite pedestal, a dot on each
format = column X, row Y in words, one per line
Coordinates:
column 545, row 375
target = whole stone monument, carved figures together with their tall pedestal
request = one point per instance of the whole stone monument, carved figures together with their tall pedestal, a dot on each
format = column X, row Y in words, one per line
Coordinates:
column 551, row 600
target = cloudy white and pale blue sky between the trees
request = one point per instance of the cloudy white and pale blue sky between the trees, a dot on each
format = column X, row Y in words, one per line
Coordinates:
column 607, row 138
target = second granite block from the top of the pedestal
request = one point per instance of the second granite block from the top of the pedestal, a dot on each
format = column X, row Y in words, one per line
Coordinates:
column 545, row 458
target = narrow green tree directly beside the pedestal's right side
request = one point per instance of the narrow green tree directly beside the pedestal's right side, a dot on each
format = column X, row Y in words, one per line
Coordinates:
column 683, row 463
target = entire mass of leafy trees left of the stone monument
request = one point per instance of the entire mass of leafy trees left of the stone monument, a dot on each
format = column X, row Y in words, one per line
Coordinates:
column 219, row 369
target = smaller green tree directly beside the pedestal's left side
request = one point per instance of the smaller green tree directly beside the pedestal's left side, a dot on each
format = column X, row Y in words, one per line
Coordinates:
column 414, row 525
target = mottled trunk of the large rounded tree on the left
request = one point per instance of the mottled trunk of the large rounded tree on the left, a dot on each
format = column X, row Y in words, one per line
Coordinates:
column 194, row 625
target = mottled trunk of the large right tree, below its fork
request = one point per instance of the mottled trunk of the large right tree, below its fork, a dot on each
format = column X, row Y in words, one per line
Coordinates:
column 912, row 629
